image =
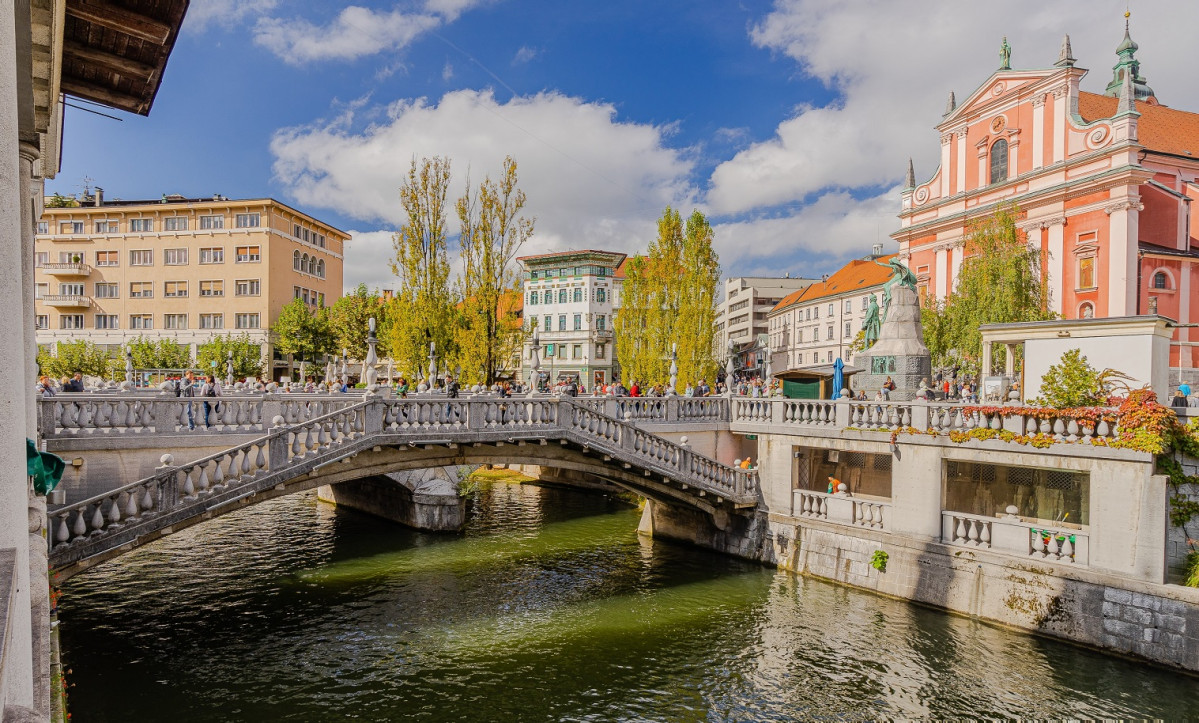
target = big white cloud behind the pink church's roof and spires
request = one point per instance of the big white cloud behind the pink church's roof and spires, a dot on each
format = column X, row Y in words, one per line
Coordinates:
column 894, row 64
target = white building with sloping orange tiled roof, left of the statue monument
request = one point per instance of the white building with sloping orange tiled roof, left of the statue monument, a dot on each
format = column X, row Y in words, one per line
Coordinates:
column 814, row 328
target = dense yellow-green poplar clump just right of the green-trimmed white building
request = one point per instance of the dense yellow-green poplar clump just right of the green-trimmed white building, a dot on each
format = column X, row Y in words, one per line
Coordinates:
column 668, row 298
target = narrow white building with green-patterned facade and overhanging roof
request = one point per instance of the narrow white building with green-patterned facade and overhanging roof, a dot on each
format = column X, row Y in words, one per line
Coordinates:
column 571, row 298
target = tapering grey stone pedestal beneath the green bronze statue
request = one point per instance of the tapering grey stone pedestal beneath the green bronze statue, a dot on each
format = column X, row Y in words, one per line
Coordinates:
column 900, row 353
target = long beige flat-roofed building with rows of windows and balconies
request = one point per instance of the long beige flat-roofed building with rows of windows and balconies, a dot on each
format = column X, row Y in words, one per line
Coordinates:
column 184, row 269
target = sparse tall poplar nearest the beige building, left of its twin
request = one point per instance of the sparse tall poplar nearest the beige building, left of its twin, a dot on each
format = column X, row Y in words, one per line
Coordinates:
column 426, row 305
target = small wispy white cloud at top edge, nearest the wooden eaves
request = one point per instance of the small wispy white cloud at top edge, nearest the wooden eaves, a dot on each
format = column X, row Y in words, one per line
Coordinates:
column 356, row 33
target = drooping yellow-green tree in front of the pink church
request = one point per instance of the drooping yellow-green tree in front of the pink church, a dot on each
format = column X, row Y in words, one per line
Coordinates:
column 999, row 282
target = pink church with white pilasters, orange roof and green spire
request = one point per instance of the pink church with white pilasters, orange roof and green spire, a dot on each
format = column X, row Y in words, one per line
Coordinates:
column 1105, row 184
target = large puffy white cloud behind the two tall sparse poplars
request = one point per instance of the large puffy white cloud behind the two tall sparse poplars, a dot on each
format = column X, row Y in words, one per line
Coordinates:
column 592, row 180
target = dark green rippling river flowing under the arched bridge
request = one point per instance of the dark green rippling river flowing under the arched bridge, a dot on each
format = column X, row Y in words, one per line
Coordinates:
column 549, row 608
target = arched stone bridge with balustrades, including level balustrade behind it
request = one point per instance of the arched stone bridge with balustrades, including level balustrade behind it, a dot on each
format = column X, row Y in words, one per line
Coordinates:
column 359, row 439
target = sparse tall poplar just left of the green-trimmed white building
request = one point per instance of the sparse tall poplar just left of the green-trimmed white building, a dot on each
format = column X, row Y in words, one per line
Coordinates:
column 492, row 233
